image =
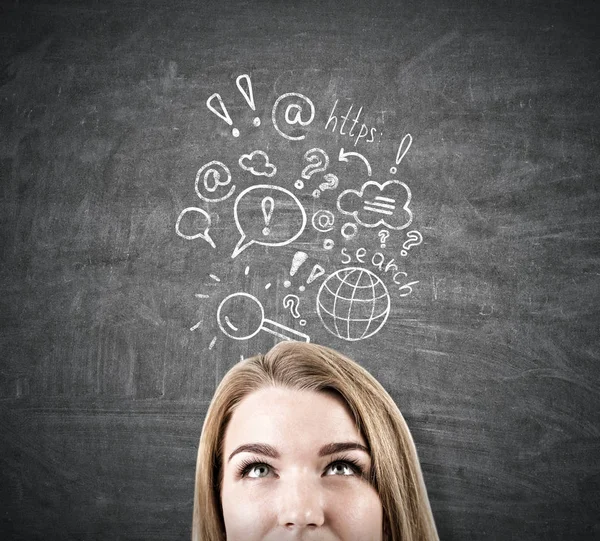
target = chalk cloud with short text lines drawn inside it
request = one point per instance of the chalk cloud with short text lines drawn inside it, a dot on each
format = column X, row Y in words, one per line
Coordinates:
column 385, row 205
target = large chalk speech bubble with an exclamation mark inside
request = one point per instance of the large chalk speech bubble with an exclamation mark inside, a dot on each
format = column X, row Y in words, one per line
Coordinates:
column 267, row 215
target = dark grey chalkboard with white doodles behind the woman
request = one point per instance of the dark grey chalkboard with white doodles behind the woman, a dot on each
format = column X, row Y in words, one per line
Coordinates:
column 188, row 183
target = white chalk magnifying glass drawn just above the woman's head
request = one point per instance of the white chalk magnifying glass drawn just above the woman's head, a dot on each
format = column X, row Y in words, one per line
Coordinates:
column 241, row 316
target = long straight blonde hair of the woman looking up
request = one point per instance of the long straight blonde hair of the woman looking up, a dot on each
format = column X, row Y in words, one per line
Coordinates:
column 396, row 472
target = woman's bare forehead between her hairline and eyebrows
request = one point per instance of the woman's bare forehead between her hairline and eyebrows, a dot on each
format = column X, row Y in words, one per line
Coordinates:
column 289, row 418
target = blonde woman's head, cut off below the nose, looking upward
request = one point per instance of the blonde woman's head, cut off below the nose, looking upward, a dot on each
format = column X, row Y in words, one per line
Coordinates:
column 295, row 402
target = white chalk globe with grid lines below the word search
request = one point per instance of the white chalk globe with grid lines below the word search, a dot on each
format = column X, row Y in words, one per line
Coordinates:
column 353, row 303
